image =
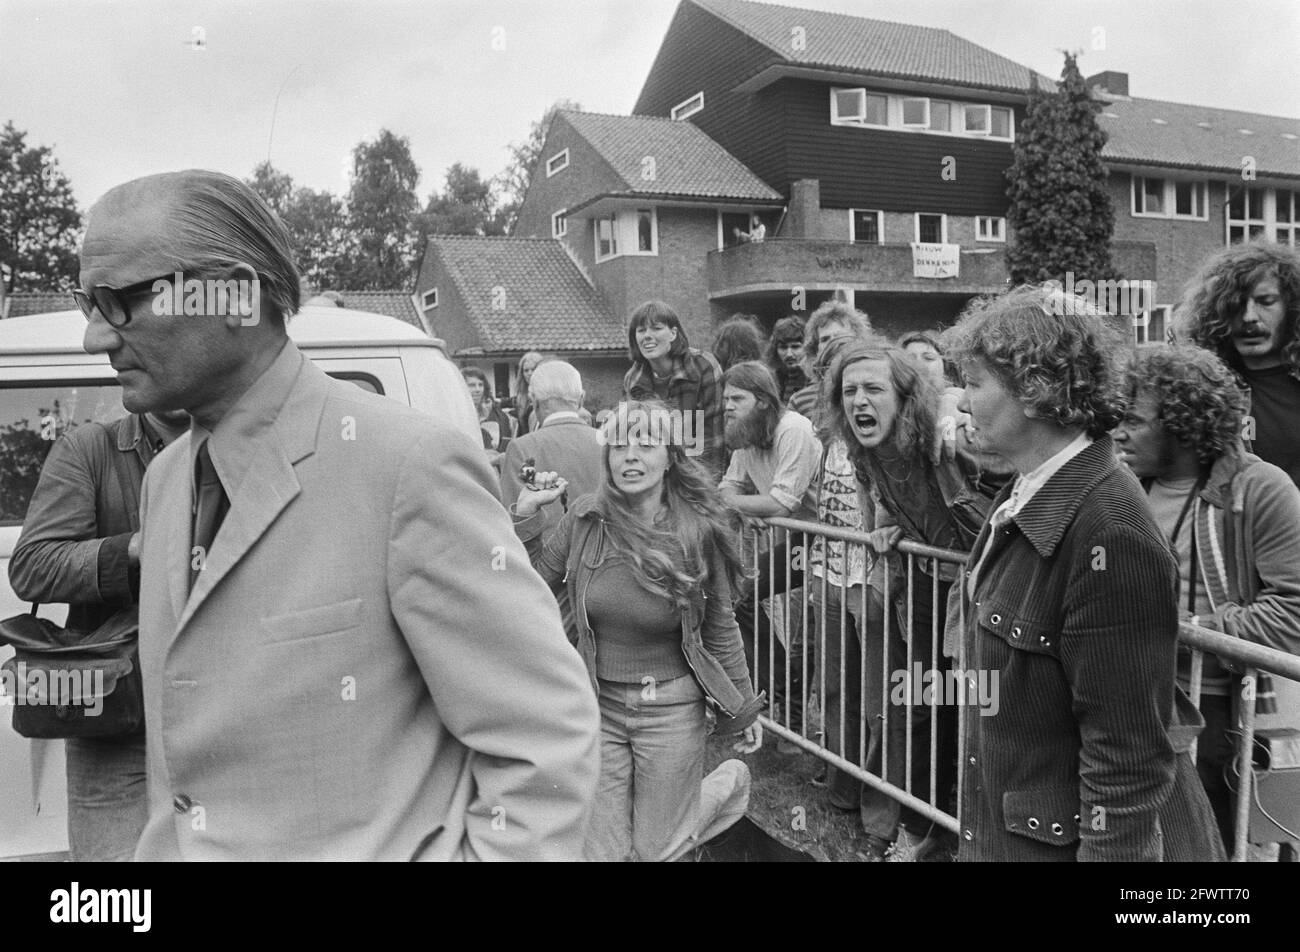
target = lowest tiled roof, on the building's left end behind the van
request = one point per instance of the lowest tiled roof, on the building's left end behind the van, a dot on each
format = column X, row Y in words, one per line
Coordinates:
column 548, row 304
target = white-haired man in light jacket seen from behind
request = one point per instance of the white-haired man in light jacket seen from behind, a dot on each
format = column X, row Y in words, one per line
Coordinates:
column 564, row 443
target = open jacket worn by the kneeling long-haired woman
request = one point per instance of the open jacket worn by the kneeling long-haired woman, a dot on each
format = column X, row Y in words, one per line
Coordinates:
column 567, row 556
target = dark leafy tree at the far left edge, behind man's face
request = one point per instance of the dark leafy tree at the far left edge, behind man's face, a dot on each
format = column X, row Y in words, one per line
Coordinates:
column 40, row 222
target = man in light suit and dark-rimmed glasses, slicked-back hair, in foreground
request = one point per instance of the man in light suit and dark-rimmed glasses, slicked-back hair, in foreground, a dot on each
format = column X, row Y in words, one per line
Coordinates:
column 345, row 651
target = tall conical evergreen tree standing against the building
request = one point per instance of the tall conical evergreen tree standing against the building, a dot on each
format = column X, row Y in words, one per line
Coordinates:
column 1061, row 215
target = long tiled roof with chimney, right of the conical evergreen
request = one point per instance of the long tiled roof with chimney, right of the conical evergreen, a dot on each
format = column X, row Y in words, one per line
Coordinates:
column 1199, row 137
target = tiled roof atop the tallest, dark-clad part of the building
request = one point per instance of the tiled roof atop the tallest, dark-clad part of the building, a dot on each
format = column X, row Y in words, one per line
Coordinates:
column 837, row 41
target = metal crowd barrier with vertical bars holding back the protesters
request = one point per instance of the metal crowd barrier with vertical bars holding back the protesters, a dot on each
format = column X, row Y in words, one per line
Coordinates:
column 798, row 689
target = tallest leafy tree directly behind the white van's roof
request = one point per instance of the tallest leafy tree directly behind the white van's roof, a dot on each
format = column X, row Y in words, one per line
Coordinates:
column 382, row 207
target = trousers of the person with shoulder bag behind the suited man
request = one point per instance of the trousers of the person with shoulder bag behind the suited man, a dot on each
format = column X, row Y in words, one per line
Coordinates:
column 107, row 798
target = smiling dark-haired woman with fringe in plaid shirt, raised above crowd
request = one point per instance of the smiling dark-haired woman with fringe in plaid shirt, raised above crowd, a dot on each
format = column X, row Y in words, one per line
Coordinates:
column 666, row 367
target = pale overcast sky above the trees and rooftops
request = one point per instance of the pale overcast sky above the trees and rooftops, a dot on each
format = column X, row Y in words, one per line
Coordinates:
column 118, row 90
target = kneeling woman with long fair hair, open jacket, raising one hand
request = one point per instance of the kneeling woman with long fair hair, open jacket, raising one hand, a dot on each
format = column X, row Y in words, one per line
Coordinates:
column 648, row 568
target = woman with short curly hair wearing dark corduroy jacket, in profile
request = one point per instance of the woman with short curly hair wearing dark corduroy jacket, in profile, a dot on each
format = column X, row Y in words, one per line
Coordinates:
column 1073, row 616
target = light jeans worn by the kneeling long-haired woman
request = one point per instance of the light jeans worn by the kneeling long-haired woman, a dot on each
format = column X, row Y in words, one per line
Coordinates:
column 651, row 804
